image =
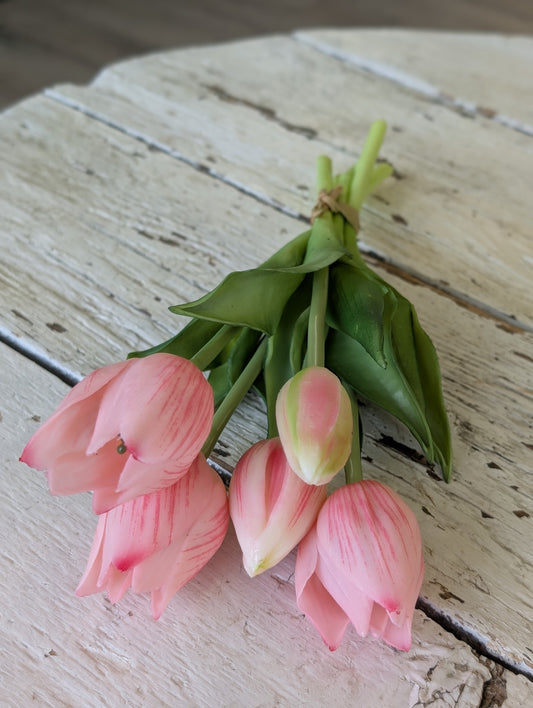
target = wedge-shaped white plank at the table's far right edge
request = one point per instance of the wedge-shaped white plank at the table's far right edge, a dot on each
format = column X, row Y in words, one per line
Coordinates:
column 447, row 66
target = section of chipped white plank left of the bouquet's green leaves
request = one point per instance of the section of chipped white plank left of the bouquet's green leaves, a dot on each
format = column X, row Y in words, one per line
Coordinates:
column 100, row 229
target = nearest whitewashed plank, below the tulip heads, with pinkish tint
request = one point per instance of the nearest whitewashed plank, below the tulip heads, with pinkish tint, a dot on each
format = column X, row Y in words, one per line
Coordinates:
column 60, row 650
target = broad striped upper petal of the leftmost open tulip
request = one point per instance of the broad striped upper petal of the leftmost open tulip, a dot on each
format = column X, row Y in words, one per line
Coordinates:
column 162, row 408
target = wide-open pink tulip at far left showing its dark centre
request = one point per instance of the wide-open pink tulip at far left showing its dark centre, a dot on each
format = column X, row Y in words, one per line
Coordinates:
column 125, row 430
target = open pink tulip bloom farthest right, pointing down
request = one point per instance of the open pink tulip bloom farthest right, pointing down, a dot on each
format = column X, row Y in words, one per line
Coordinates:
column 361, row 563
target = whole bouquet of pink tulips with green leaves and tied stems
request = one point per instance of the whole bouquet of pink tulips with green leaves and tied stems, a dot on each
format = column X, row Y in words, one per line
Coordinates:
column 313, row 329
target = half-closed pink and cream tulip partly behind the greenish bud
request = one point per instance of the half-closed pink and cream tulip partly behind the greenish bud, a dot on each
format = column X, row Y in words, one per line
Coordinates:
column 271, row 507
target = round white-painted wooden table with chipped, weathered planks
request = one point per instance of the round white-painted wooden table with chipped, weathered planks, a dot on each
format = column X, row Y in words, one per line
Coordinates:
column 143, row 190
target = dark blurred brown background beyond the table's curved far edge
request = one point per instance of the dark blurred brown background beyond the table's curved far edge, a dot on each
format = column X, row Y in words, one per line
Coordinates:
column 43, row 42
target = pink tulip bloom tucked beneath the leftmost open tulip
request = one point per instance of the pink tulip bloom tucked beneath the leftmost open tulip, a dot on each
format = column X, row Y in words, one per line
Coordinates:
column 159, row 541
